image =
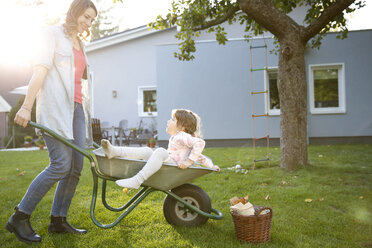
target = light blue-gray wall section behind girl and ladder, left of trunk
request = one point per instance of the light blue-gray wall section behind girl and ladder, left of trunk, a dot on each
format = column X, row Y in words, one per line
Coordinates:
column 216, row 85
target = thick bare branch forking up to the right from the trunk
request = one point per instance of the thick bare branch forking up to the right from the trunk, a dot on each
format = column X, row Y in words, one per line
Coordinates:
column 328, row 15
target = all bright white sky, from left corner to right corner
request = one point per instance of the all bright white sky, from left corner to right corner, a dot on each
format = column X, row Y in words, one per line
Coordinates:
column 19, row 23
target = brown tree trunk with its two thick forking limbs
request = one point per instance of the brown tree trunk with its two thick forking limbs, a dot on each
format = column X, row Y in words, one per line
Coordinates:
column 292, row 84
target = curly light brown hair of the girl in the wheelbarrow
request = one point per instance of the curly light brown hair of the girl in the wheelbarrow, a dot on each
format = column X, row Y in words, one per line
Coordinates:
column 189, row 121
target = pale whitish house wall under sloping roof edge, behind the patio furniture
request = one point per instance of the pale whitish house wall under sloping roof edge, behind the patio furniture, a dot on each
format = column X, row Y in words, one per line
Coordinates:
column 122, row 68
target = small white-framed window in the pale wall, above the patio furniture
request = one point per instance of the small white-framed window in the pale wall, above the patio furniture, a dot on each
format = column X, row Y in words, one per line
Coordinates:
column 147, row 101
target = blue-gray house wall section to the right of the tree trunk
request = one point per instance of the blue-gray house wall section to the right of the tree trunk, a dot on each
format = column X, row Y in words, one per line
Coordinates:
column 356, row 54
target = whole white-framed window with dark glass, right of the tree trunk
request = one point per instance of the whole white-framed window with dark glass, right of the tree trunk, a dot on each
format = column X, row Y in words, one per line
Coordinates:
column 327, row 89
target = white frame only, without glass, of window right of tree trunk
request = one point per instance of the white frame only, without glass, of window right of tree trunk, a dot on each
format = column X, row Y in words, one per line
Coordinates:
column 341, row 109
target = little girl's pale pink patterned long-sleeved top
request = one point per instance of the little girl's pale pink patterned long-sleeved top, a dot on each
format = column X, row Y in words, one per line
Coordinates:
column 183, row 146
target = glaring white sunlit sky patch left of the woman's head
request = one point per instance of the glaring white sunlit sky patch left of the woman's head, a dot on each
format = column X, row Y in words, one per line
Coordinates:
column 20, row 25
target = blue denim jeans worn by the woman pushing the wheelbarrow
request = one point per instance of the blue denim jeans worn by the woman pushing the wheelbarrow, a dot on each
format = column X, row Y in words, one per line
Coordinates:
column 65, row 168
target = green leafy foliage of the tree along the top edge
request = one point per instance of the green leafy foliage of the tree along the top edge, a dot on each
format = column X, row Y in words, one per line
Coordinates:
column 191, row 16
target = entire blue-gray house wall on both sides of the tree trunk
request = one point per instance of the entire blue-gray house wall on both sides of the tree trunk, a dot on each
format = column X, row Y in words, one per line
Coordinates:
column 216, row 85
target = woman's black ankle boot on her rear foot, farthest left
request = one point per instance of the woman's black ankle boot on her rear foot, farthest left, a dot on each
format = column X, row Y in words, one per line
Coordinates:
column 19, row 224
